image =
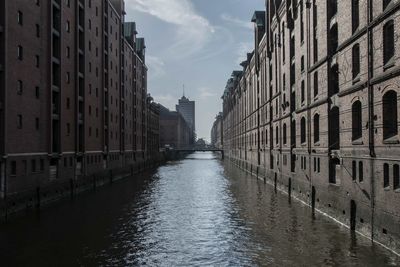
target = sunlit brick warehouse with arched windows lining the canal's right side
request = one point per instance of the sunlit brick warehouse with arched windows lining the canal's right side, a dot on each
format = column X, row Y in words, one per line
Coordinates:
column 315, row 109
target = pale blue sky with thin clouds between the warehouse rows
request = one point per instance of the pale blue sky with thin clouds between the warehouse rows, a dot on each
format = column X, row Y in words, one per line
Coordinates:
column 197, row 43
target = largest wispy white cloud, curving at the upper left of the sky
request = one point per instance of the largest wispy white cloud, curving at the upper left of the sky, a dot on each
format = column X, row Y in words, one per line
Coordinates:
column 192, row 30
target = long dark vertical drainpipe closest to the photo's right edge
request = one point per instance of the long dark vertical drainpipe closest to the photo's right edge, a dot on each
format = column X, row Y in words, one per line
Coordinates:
column 371, row 115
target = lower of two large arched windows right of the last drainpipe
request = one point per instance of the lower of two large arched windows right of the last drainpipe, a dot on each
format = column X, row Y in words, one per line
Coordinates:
column 389, row 114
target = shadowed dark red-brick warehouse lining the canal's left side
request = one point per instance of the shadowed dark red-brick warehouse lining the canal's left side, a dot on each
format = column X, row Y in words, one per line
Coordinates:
column 73, row 92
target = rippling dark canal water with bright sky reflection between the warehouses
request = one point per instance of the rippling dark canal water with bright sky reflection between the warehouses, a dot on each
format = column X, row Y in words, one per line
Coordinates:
column 193, row 212
